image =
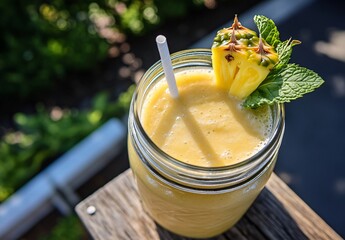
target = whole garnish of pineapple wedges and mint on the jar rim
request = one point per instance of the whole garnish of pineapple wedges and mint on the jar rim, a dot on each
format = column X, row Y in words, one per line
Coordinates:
column 256, row 68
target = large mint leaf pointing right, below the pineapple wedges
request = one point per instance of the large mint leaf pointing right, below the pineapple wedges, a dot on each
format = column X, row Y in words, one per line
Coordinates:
column 283, row 85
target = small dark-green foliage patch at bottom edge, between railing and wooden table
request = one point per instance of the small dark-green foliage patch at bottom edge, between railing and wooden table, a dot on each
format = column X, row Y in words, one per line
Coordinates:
column 66, row 228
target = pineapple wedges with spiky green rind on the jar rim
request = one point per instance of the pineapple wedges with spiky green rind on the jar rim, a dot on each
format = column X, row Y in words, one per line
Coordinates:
column 241, row 60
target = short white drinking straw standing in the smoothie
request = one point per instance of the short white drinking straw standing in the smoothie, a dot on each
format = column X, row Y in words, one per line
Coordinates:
column 167, row 66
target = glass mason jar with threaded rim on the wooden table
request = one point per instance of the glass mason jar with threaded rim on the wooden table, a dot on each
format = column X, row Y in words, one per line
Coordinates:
column 194, row 201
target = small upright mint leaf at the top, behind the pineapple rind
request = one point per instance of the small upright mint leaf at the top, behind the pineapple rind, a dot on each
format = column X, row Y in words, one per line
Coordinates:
column 267, row 29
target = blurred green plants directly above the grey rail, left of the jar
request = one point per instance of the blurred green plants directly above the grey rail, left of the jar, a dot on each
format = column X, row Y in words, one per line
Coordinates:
column 47, row 134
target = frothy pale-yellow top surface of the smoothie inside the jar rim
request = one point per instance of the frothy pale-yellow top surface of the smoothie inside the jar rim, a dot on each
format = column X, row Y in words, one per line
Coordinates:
column 204, row 126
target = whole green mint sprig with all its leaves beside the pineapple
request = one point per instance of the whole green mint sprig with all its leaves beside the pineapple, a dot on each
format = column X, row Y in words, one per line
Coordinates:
column 286, row 81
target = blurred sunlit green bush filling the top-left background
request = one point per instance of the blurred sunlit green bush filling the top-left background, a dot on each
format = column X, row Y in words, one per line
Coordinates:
column 41, row 41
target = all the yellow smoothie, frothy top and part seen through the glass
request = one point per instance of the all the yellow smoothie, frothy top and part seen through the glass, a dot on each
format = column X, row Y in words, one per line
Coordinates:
column 207, row 128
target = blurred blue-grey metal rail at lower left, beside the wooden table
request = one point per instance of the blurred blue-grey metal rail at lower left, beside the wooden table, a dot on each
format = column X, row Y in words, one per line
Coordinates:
column 55, row 186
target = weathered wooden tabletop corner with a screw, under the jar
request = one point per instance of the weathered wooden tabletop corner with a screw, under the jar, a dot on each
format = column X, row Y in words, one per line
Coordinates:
column 115, row 212
